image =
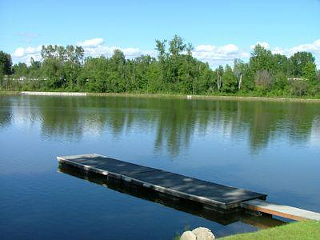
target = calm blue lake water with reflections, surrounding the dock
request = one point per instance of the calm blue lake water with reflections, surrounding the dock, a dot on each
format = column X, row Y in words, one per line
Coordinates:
column 269, row 147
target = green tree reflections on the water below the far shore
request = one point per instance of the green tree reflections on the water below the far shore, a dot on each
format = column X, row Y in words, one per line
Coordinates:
column 173, row 121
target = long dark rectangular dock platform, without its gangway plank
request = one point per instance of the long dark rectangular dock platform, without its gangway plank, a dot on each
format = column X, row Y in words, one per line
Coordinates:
column 208, row 193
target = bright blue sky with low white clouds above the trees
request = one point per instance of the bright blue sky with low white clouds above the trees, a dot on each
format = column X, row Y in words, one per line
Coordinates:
column 220, row 30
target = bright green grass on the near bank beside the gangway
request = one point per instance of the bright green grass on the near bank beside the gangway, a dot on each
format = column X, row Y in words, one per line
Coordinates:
column 297, row 230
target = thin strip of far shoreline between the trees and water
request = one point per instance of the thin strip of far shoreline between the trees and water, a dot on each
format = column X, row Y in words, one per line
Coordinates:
column 165, row 95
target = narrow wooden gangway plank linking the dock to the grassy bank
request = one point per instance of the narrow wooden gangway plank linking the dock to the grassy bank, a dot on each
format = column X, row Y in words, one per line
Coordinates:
column 280, row 210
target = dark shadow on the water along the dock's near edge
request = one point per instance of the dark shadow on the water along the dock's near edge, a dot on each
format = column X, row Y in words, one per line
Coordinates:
column 261, row 222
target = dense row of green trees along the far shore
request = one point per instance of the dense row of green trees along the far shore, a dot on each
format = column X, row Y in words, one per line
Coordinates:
column 174, row 70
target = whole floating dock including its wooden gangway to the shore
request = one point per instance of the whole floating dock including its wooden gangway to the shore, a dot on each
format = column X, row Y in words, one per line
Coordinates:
column 220, row 198
